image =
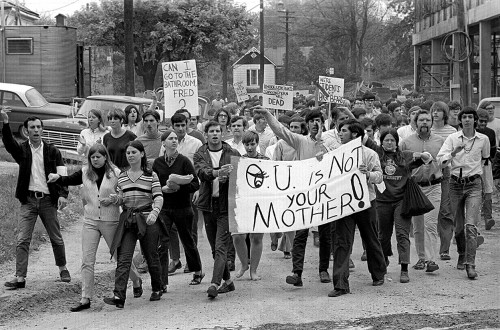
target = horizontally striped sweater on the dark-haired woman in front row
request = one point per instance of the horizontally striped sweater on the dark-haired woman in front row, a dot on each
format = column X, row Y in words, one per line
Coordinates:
column 144, row 191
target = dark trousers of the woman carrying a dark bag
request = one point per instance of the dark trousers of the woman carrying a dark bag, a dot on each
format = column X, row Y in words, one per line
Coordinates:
column 389, row 216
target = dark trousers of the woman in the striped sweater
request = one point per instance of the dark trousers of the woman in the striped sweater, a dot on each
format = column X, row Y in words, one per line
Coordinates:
column 149, row 247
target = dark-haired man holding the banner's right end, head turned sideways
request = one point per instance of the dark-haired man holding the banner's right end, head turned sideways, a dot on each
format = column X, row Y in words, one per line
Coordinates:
column 365, row 220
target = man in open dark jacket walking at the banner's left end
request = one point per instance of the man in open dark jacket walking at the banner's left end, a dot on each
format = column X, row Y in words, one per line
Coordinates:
column 212, row 164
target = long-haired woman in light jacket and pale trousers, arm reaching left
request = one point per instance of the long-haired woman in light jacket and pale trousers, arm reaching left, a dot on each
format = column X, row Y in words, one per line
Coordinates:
column 99, row 179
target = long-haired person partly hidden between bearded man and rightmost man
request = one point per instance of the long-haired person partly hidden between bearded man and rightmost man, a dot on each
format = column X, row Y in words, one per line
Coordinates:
column 440, row 126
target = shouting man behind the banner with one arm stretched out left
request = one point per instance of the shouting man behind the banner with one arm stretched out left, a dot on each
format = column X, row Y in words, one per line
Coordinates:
column 306, row 147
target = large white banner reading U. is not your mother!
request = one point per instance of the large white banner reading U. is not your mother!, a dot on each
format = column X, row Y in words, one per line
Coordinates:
column 271, row 196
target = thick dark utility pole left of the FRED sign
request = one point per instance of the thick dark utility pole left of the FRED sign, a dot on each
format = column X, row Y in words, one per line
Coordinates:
column 128, row 16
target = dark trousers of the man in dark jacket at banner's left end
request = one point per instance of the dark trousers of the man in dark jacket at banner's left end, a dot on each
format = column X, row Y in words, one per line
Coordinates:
column 217, row 228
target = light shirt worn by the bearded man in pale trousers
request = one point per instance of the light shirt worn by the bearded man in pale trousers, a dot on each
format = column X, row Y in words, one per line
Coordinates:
column 432, row 169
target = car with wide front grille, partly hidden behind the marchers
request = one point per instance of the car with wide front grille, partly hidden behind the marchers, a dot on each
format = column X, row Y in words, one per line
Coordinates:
column 64, row 133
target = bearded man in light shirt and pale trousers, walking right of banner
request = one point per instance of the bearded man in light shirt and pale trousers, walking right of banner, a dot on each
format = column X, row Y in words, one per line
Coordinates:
column 428, row 176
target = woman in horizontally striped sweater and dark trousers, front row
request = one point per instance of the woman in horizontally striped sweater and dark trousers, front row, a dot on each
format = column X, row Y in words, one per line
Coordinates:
column 139, row 193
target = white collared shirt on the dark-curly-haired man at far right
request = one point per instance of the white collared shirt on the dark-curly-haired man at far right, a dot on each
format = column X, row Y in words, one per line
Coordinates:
column 469, row 160
